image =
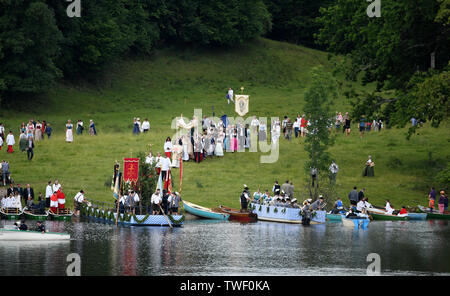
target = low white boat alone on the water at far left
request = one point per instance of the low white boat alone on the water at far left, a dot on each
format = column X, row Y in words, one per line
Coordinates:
column 21, row 235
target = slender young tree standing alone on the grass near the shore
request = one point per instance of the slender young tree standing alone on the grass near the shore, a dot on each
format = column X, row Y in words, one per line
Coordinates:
column 317, row 108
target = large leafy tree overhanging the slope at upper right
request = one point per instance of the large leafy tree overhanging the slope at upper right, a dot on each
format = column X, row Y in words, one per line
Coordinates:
column 396, row 51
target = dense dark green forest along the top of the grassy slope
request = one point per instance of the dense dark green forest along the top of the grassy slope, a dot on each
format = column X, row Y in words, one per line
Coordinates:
column 405, row 51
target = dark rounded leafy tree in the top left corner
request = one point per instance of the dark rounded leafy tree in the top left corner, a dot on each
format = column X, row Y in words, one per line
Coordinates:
column 29, row 39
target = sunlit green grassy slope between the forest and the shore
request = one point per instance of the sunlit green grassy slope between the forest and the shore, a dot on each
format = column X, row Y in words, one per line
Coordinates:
column 275, row 76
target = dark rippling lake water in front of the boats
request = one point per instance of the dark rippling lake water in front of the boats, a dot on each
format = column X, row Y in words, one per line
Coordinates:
column 206, row 247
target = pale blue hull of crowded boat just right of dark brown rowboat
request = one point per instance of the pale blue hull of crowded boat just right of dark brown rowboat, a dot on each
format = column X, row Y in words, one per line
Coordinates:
column 285, row 215
